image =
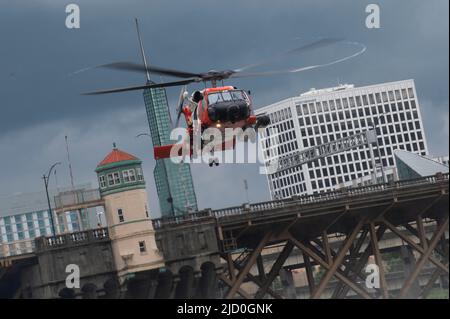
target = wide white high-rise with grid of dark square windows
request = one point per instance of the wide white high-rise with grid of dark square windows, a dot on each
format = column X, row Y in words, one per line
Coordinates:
column 321, row 116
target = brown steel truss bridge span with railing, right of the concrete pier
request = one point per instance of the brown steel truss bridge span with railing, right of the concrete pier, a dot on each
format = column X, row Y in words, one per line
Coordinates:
column 361, row 216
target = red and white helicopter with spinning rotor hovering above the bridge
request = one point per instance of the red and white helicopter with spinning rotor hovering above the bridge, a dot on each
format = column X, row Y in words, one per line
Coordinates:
column 221, row 107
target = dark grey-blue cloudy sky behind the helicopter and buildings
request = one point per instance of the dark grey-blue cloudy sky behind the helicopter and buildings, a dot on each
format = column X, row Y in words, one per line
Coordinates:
column 40, row 100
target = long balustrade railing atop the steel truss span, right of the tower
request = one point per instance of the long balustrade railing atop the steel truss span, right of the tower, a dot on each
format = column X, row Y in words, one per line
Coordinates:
column 300, row 200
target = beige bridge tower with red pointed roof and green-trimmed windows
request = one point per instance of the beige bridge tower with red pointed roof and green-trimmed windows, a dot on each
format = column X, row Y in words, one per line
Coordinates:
column 122, row 186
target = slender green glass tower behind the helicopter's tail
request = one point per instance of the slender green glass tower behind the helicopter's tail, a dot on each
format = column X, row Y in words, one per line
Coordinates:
column 173, row 181
